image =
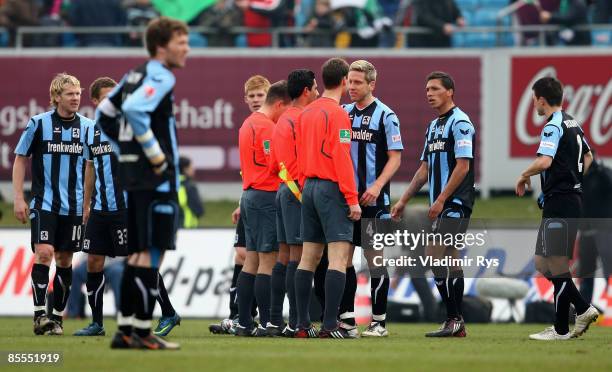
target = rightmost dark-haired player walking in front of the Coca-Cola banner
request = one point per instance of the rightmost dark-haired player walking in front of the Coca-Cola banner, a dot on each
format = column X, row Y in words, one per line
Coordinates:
column 562, row 158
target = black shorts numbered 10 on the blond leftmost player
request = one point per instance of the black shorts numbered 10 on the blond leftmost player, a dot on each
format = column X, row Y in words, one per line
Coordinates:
column 64, row 233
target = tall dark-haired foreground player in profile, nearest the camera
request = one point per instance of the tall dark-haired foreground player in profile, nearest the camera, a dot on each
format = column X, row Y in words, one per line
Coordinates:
column 146, row 134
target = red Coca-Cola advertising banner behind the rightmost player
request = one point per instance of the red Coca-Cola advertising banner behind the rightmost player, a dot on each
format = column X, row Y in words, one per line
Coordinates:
column 587, row 84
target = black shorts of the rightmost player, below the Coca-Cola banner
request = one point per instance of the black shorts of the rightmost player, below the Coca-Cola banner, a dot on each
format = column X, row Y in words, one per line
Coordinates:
column 559, row 225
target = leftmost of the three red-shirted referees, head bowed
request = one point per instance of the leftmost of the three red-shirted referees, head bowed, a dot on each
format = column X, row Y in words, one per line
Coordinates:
column 258, row 210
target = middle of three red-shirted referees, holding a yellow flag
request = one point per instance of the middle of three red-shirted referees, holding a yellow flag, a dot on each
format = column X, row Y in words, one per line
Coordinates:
column 302, row 88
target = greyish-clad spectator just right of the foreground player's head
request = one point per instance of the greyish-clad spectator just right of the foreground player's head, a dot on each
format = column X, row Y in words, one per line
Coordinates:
column 223, row 16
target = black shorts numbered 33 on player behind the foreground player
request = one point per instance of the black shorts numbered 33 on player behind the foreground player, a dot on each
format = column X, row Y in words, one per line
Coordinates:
column 106, row 234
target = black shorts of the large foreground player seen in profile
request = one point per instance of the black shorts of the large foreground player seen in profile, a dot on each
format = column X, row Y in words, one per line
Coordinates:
column 152, row 220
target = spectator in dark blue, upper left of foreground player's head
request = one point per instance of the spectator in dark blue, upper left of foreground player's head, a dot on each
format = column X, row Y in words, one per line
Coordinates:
column 96, row 13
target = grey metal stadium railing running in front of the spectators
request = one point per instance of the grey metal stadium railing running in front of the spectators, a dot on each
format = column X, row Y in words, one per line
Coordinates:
column 278, row 32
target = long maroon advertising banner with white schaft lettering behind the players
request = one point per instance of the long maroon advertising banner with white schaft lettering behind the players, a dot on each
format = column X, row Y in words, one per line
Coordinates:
column 209, row 99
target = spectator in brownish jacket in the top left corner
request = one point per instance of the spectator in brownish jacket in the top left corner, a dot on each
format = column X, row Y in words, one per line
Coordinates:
column 16, row 13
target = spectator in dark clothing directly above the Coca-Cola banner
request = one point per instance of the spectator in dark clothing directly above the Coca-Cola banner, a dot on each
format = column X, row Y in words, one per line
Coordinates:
column 569, row 14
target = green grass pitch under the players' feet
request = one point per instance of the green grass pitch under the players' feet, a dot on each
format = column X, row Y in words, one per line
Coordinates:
column 489, row 347
